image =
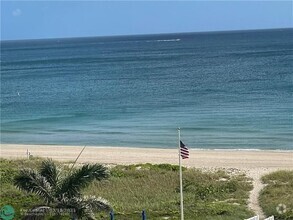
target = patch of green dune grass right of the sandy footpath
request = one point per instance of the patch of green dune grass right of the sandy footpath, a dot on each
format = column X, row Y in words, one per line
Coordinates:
column 277, row 196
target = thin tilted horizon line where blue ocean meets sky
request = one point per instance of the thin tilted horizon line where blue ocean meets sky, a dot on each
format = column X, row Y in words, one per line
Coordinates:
column 147, row 34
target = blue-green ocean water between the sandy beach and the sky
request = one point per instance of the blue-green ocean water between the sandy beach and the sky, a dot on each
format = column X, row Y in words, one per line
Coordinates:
column 225, row 90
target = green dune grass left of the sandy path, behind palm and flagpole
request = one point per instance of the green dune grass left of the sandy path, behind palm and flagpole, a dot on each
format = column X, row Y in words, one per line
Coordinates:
column 153, row 188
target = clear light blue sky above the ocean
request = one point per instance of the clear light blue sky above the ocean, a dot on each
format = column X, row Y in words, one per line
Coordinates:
column 62, row 19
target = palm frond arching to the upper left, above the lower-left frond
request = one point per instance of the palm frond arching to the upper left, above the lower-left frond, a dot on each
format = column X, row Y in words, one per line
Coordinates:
column 31, row 181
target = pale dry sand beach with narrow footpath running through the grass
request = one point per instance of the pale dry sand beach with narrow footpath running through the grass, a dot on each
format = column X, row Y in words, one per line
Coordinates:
column 254, row 163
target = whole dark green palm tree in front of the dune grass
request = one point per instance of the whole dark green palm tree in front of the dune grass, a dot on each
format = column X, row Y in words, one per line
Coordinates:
column 61, row 192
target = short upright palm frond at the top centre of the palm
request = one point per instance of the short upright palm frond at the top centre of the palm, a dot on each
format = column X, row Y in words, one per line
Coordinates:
column 50, row 171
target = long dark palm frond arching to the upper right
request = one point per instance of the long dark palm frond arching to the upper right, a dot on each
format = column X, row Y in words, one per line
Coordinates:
column 80, row 178
